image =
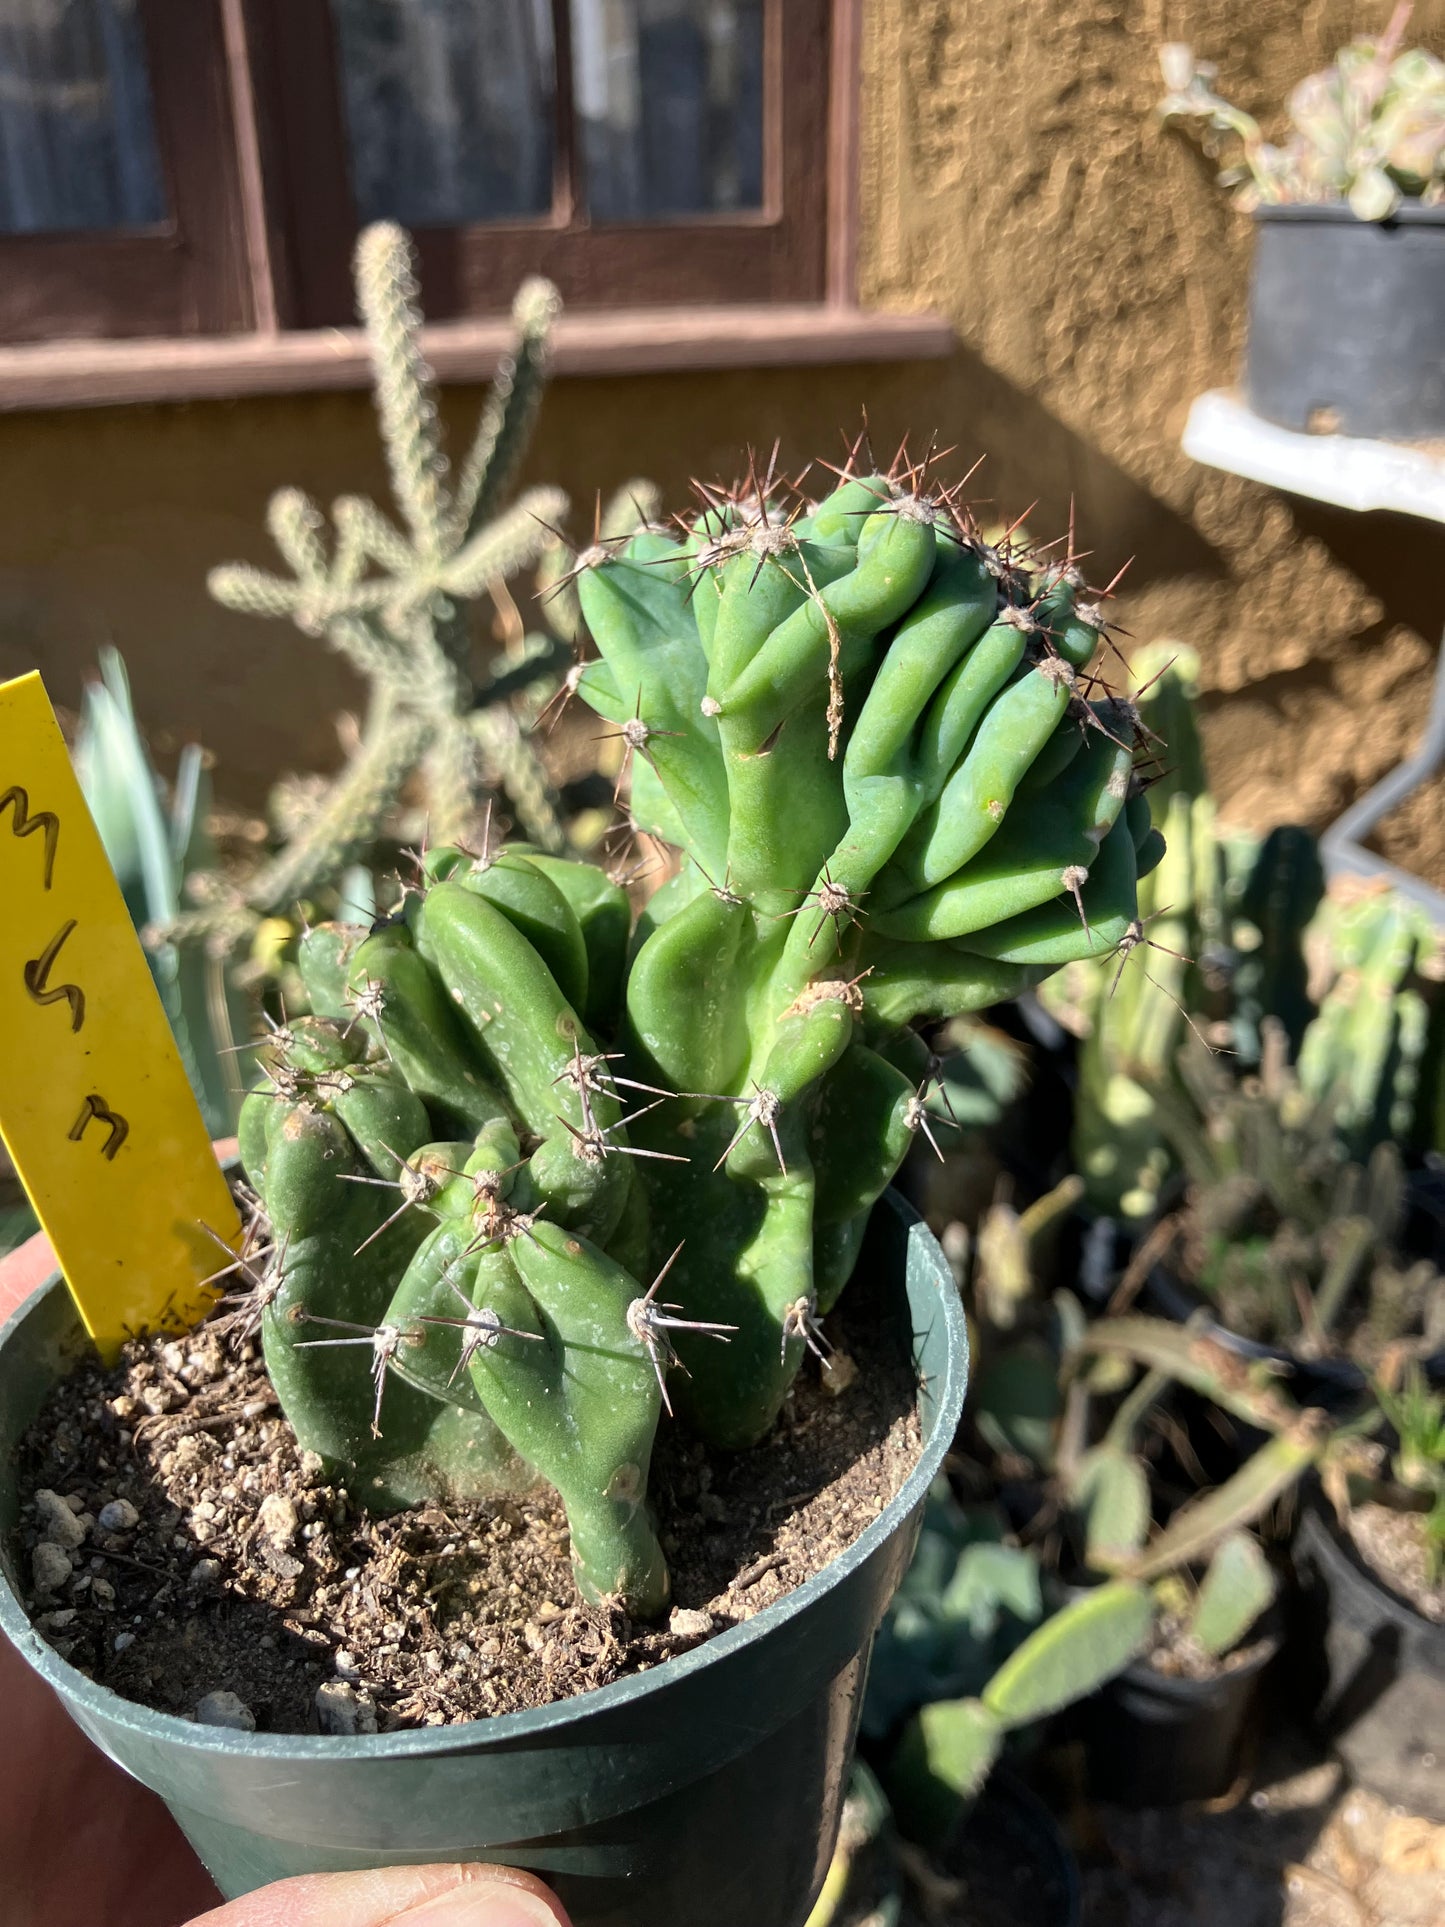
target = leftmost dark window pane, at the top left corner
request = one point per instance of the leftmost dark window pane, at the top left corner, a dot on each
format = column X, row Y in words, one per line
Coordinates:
column 78, row 140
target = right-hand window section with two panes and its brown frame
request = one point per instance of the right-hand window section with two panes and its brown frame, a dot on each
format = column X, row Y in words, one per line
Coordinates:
column 637, row 151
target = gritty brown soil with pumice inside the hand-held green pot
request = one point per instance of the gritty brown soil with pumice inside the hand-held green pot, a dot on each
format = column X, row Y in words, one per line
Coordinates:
column 182, row 1550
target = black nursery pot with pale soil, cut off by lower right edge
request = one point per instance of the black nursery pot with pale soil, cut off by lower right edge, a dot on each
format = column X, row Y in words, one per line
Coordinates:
column 1379, row 1683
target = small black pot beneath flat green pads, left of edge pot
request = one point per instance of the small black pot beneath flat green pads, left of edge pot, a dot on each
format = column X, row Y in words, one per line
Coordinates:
column 1155, row 1741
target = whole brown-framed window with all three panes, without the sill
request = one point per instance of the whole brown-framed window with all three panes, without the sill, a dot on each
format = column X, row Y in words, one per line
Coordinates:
column 201, row 167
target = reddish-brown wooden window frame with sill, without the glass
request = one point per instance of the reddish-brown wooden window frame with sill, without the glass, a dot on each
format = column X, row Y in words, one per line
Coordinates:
column 250, row 290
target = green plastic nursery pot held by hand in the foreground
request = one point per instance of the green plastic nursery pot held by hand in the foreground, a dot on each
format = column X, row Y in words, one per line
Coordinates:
column 706, row 1791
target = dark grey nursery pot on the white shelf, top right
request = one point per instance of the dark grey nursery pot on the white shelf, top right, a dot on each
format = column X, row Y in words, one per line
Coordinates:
column 1348, row 323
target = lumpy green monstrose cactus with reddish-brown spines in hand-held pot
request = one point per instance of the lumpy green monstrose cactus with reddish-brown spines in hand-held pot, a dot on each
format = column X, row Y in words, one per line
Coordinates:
column 535, row 1169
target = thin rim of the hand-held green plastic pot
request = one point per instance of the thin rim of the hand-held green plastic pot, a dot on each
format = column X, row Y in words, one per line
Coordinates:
column 76, row 1689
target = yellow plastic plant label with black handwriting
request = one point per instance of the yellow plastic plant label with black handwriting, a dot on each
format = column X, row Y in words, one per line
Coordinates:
column 95, row 1105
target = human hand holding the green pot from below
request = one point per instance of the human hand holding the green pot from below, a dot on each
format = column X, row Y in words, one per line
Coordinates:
column 84, row 1843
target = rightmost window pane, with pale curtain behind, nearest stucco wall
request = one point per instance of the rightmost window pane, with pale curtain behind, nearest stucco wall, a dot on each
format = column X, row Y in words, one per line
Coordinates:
column 670, row 101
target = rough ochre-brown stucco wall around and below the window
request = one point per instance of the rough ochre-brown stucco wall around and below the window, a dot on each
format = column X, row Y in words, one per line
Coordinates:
column 1012, row 178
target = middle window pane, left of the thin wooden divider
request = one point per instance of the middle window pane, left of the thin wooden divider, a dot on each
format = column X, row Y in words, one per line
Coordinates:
column 450, row 107
